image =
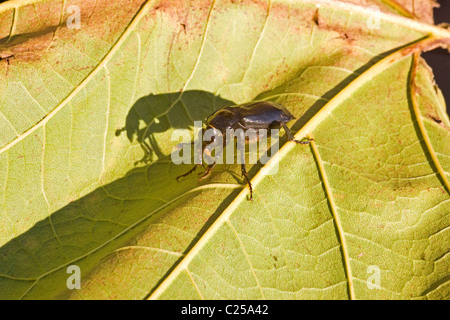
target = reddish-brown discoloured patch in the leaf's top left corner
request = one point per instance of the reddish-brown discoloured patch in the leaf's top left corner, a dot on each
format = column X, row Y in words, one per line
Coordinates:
column 33, row 44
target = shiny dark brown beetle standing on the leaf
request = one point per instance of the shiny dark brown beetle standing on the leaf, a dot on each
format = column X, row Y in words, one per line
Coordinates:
column 253, row 115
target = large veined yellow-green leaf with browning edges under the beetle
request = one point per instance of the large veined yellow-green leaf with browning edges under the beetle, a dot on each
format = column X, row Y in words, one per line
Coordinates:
column 86, row 176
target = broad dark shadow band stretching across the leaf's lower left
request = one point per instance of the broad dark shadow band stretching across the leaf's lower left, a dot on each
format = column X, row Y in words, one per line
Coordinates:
column 93, row 227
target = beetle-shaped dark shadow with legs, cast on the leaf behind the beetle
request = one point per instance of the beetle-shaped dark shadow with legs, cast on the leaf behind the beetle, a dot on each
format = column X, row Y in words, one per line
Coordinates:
column 158, row 113
